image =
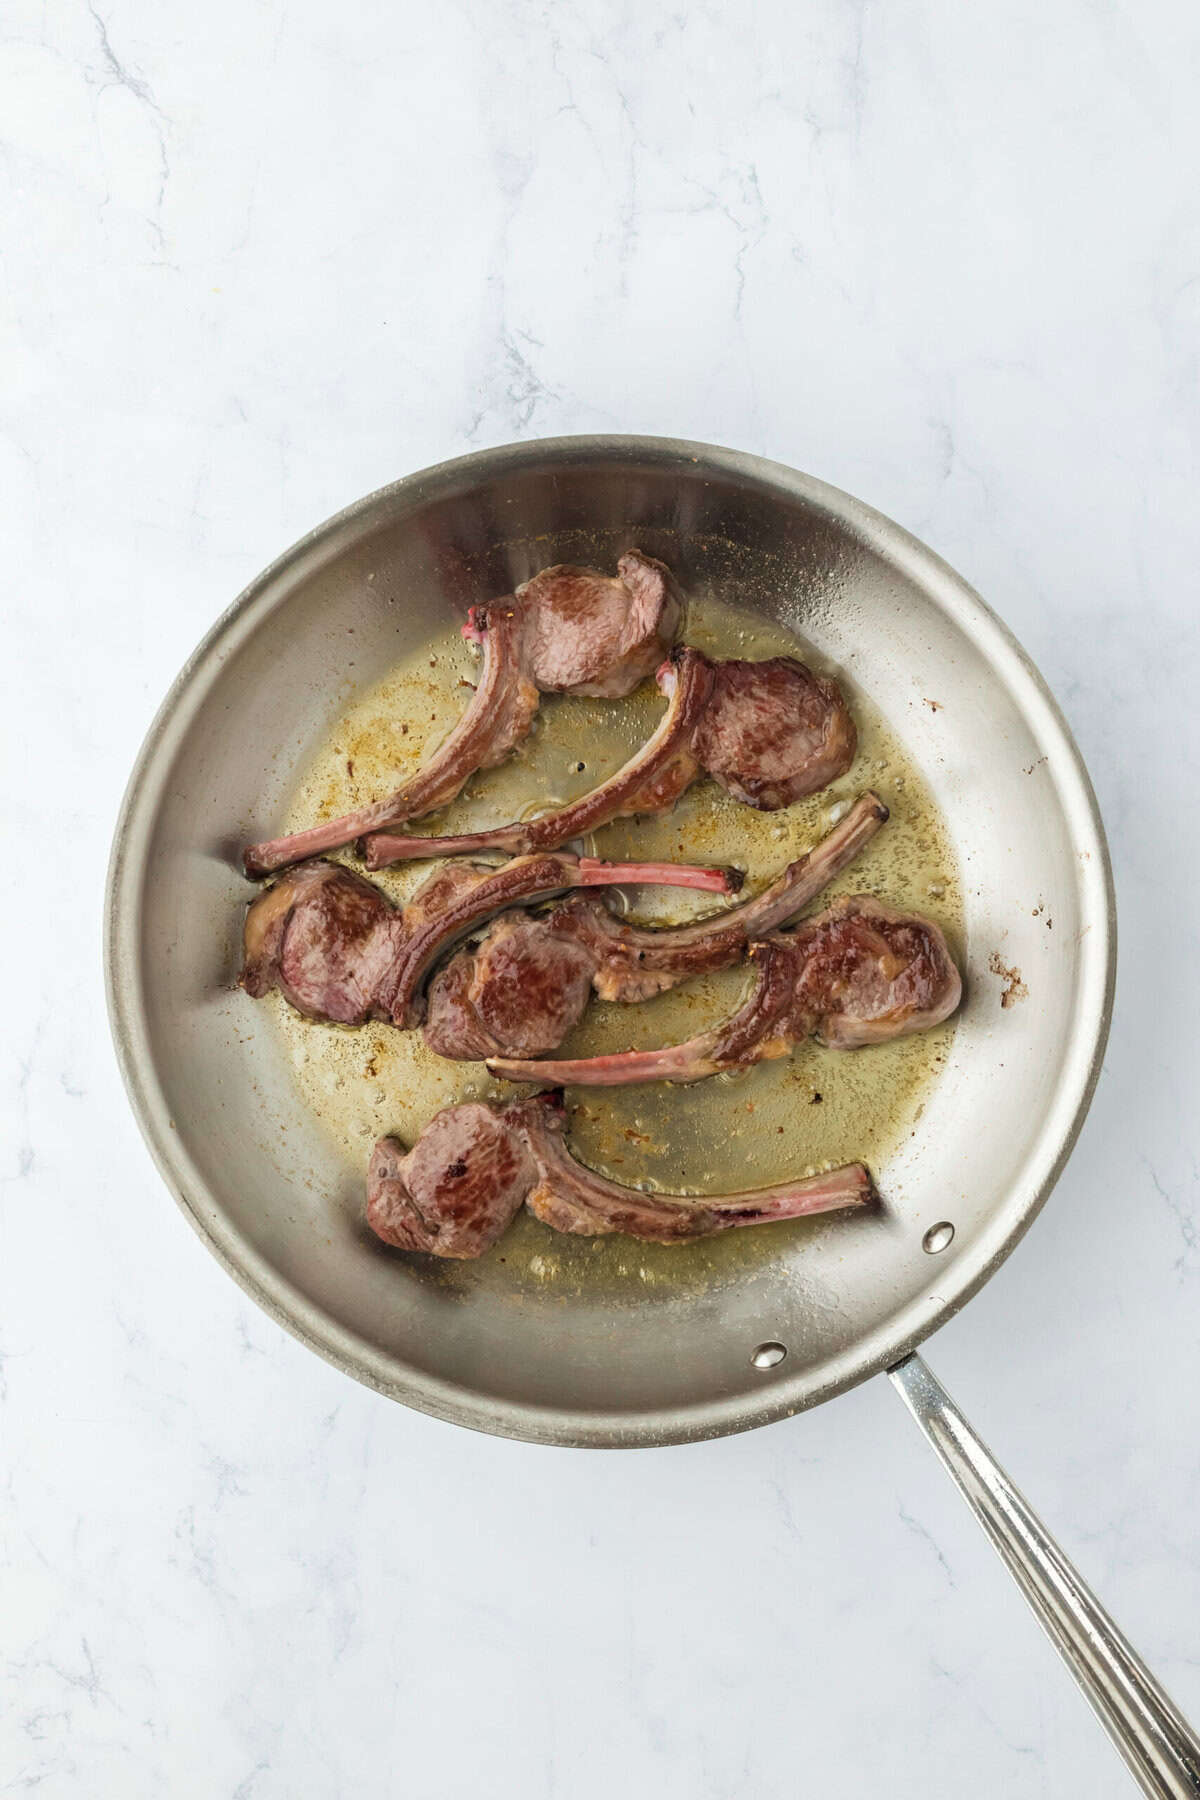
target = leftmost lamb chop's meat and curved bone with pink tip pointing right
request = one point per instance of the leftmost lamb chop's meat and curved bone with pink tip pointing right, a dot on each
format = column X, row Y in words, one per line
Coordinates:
column 337, row 948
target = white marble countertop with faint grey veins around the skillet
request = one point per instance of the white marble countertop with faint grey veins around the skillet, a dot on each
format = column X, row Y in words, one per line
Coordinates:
column 271, row 256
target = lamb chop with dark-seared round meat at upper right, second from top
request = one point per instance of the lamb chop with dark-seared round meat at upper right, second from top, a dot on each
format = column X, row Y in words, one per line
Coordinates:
column 767, row 732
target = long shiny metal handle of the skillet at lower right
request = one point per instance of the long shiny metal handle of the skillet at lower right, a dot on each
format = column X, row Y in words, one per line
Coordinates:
column 1154, row 1738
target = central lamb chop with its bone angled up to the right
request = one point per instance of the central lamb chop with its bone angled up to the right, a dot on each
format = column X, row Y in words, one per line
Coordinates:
column 528, row 984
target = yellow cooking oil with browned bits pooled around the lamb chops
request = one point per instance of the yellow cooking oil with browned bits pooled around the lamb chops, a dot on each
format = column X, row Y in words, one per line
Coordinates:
column 803, row 1113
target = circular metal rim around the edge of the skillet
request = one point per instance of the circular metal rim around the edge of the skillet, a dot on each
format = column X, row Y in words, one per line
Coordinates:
column 449, row 1401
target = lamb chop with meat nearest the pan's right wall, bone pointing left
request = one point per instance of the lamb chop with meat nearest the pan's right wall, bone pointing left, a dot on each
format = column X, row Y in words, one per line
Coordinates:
column 857, row 975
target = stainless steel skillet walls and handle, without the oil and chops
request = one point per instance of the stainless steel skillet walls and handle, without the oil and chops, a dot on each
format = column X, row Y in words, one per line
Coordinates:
column 274, row 1200
